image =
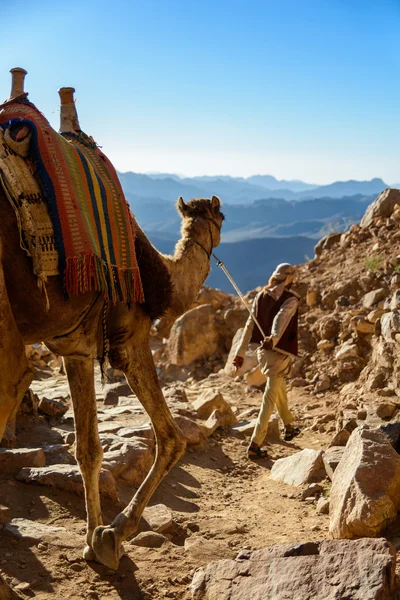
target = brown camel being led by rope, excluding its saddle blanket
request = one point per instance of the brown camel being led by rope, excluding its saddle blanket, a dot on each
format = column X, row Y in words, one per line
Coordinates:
column 73, row 328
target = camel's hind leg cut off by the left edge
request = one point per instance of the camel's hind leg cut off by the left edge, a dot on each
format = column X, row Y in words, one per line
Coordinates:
column 16, row 376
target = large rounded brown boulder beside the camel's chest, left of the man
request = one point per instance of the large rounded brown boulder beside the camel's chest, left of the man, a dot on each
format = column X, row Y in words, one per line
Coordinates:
column 194, row 336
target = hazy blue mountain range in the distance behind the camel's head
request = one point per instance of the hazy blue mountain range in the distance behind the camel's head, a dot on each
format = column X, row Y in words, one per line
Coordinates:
column 267, row 221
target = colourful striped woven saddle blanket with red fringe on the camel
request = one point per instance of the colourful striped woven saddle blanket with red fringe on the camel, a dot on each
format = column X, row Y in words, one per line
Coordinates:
column 90, row 218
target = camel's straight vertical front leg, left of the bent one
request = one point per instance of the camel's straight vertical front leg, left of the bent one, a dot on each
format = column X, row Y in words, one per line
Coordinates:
column 89, row 452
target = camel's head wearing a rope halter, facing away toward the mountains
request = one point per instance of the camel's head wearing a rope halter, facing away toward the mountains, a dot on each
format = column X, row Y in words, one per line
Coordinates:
column 202, row 218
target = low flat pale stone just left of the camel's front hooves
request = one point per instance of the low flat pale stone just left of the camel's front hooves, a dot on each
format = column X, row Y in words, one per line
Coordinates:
column 34, row 532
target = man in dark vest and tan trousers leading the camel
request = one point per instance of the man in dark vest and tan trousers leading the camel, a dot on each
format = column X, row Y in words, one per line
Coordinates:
column 276, row 310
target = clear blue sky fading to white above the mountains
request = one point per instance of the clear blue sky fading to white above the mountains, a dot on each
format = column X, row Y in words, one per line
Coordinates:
column 305, row 89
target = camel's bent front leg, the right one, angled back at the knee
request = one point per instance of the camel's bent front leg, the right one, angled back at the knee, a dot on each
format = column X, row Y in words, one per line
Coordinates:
column 170, row 445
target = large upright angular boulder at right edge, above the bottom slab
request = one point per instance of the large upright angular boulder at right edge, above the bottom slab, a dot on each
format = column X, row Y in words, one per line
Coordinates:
column 365, row 493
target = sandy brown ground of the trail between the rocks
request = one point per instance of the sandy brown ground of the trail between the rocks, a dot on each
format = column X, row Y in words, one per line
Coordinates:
column 221, row 502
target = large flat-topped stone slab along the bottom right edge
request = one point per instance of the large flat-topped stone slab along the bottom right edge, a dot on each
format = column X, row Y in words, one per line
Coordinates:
column 329, row 570
